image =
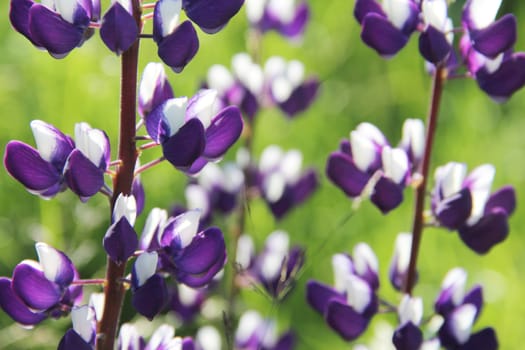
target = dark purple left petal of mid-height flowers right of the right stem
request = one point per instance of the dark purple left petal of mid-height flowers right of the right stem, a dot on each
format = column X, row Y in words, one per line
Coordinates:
column 454, row 211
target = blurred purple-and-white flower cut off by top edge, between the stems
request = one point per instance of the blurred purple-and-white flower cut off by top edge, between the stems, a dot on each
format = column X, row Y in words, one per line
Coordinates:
column 284, row 16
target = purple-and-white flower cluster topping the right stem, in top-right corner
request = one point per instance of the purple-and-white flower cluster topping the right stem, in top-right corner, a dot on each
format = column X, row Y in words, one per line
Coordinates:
column 486, row 44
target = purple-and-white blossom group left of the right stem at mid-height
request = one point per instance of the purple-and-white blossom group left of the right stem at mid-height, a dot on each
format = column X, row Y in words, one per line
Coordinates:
column 367, row 165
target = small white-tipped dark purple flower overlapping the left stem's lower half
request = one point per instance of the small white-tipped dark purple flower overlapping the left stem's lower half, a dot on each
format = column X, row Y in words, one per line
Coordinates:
column 120, row 240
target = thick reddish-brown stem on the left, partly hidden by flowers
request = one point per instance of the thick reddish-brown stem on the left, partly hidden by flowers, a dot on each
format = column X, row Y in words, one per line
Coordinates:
column 114, row 289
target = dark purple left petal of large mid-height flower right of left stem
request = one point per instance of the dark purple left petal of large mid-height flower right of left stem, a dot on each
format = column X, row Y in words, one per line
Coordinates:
column 183, row 148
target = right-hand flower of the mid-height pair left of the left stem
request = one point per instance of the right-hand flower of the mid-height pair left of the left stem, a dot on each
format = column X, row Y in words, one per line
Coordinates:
column 88, row 162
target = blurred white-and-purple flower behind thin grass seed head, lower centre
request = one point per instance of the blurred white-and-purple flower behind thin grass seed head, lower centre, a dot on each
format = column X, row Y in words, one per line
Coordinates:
column 275, row 268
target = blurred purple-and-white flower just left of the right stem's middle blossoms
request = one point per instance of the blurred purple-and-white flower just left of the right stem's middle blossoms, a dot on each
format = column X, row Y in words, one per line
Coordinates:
column 281, row 181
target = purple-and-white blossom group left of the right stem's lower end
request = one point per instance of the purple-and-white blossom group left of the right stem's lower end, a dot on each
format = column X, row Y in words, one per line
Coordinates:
column 348, row 306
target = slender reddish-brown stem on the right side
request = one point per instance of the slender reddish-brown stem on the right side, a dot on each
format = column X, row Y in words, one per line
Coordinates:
column 418, row 220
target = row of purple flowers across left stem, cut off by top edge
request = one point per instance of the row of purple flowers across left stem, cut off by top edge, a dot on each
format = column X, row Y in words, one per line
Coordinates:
column 61, row 26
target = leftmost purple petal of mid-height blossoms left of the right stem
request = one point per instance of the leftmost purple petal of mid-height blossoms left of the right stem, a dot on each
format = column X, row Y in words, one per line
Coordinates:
column 342, row 171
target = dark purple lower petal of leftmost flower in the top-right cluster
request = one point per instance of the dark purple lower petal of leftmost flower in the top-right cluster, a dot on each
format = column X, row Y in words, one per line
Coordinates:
column 381, row 35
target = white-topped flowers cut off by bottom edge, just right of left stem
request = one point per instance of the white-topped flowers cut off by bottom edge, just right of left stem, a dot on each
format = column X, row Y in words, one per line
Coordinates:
column 162, row 338
